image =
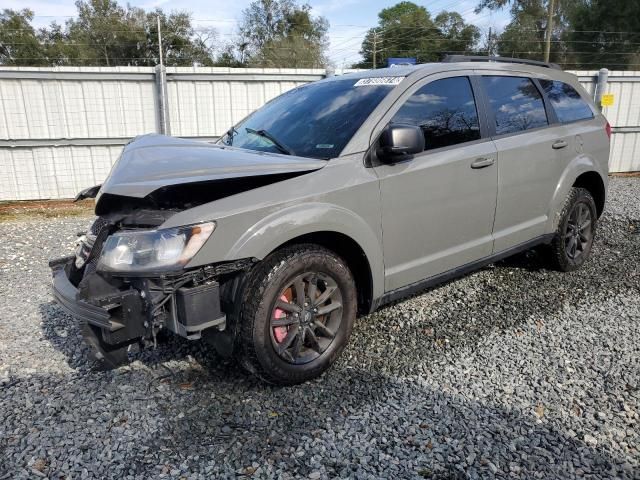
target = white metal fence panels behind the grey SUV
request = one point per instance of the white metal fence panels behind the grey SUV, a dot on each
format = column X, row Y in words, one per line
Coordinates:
column 62, row 128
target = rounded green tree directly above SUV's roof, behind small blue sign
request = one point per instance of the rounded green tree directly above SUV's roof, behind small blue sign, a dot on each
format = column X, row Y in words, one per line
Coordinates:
column 407, row 30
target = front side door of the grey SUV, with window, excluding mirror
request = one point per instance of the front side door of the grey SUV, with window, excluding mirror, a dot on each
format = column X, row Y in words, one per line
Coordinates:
column 438, row 207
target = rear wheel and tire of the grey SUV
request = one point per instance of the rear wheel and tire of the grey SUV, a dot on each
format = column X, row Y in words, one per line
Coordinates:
column 573, row 239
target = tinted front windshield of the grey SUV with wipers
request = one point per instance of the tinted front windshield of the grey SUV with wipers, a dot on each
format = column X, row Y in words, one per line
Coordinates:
column 316, row 120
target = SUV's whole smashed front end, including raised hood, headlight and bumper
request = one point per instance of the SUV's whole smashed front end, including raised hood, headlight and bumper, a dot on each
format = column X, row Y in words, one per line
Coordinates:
column 130, row 278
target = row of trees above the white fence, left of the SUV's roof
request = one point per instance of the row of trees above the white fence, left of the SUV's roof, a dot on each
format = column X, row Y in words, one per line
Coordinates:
column 272, row 33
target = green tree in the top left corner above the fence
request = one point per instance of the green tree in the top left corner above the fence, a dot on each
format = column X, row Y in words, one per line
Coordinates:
column 19, row 43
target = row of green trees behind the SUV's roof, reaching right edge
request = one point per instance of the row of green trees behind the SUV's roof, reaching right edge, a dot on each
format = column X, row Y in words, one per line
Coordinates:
column 585, row 34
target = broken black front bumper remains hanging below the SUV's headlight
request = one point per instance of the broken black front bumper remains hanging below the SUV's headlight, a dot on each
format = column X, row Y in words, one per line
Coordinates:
column 126, row 313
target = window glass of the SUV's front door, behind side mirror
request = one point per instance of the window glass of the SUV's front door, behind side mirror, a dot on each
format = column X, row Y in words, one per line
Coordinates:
column 445, row 110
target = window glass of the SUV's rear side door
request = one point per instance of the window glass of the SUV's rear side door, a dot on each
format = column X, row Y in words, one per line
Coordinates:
column 516, row 104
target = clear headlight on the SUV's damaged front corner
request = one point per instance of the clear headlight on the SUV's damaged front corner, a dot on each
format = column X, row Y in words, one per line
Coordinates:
column 145, row 250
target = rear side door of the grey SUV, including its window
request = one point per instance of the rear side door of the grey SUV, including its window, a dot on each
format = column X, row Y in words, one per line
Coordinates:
column 530, row 156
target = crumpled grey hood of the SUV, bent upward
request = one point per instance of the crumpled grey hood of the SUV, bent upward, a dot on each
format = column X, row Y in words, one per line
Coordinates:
column 150, row 162
